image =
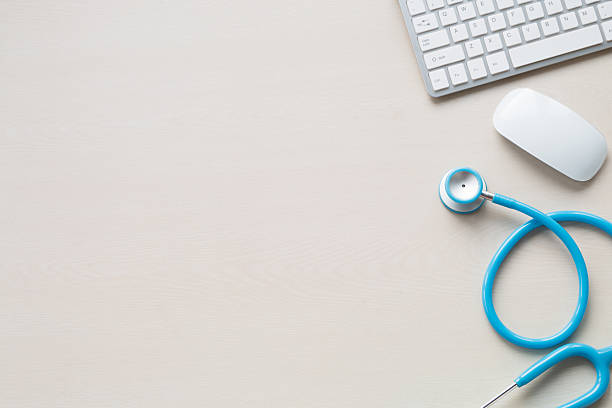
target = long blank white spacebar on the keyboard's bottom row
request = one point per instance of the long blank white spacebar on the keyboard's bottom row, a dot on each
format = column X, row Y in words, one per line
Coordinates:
column 555, row 46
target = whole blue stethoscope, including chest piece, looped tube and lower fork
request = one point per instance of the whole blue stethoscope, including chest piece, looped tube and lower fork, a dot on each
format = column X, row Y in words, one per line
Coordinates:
column 463, row 191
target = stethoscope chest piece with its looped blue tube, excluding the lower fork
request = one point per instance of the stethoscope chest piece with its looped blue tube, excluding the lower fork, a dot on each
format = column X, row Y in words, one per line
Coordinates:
column 454, row 181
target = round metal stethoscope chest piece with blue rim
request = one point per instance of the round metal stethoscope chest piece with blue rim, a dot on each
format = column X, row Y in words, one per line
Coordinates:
column 463, row 190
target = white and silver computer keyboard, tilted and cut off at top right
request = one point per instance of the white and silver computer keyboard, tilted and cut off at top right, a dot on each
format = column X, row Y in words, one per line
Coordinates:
column 461, row 44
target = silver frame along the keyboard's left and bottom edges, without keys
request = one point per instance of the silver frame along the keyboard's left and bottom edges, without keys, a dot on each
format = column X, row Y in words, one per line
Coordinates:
column 490, row 78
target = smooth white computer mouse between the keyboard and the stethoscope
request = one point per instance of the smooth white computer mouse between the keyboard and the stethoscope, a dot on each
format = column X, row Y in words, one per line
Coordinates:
column 552, row 133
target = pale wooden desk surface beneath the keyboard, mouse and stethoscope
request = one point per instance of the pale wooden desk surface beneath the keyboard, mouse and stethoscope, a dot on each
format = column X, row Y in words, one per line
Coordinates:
column 234, row 204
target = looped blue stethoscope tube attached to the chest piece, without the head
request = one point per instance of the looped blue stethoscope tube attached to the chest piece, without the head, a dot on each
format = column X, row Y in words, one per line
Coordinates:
column 551, row 221
